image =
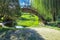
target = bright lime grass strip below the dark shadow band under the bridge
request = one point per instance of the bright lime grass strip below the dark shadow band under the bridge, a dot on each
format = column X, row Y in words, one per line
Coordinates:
column 27, row 23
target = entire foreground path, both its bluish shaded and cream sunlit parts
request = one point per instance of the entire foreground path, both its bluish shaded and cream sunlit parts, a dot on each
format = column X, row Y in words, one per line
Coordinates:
column 30, row 34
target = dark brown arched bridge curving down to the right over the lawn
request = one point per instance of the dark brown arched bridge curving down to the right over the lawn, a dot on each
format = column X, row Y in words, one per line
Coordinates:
column 34, row 11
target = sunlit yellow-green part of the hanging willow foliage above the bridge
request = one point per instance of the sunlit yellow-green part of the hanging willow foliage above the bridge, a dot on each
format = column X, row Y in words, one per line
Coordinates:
column 40, row 6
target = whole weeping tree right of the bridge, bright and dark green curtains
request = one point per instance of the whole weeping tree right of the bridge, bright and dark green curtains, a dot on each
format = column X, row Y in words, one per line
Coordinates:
column 47, row 8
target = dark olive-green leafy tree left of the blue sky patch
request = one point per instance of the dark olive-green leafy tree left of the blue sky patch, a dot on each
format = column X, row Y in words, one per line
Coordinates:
column 9, row 9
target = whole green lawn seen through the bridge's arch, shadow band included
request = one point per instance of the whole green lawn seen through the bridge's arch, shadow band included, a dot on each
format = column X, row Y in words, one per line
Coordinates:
column 28, row 19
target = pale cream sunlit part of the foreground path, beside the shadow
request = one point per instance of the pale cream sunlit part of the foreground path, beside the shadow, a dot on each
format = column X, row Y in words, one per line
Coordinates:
column 48, row 34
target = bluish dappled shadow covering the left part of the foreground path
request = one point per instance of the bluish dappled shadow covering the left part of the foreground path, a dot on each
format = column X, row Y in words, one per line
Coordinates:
column 25, row 34
